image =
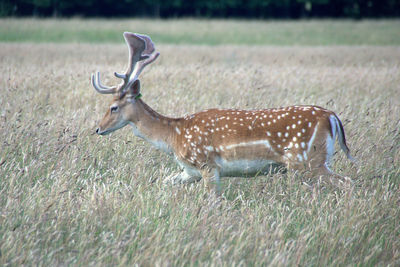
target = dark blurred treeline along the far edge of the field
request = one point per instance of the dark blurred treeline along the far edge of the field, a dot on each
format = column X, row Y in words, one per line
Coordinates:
column 203, row 8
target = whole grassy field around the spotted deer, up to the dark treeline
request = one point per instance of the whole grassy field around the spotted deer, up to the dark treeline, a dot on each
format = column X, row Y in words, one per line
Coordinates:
column 70, row 197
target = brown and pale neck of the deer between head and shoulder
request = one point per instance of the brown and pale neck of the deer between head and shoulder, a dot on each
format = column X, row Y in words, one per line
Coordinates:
column 154, row 127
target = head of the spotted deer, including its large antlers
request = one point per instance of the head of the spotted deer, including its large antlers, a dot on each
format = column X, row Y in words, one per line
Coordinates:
column 127, row 93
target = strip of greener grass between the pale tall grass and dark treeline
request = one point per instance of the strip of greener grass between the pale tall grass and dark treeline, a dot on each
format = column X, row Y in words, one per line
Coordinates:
column 206, row 32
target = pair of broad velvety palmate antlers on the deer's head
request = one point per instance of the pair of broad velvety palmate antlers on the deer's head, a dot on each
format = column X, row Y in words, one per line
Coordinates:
column 141, row 53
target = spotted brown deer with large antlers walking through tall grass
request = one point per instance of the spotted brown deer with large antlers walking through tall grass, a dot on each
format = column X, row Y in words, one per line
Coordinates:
column 217, row 143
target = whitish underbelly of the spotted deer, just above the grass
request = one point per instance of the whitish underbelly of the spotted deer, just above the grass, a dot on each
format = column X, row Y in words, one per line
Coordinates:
column 245, row 167
